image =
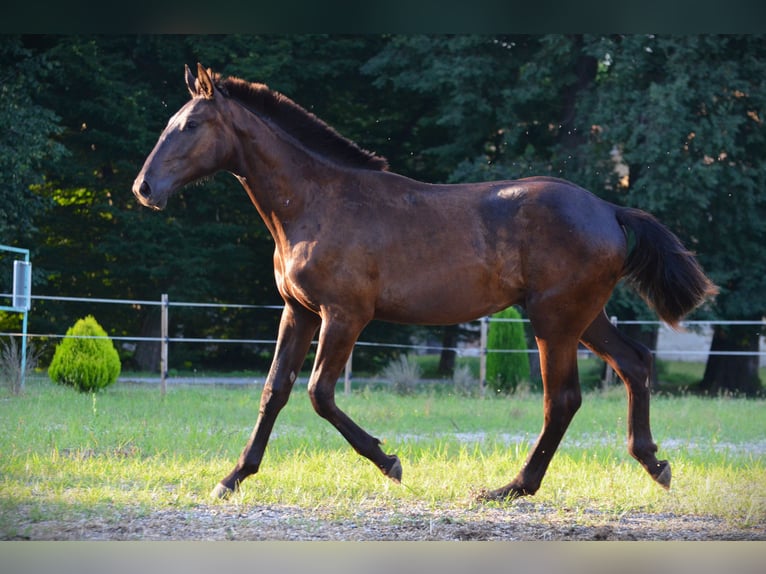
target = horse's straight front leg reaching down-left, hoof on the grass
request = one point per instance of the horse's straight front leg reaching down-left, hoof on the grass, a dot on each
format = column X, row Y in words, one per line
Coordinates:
column 296, row 331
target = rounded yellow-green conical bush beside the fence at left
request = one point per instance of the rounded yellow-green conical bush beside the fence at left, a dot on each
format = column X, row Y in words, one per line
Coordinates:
column 87, row 364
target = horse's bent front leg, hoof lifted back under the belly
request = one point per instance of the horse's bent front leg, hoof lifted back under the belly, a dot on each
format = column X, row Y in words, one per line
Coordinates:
column 336, row 341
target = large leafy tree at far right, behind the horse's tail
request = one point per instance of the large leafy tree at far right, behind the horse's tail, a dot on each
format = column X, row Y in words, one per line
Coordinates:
column 684, row 117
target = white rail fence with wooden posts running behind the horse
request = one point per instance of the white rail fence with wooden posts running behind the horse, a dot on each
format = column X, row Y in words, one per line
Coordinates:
column 481, row 351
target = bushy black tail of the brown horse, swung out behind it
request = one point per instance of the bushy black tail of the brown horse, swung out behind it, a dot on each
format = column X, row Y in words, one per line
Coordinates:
column 661, row 269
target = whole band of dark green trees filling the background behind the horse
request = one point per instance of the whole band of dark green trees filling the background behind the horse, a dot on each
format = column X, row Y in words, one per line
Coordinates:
column 670, row 124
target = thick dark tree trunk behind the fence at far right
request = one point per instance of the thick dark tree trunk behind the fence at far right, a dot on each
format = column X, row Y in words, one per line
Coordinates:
column 733, row 373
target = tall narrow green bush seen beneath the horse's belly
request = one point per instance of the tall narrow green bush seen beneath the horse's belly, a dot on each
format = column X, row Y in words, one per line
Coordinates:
column 506, row 370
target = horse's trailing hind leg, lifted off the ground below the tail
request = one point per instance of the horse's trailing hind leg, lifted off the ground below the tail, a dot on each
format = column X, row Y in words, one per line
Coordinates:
column 633, row 363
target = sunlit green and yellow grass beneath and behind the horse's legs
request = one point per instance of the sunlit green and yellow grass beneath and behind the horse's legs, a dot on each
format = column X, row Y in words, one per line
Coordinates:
column 129, row 451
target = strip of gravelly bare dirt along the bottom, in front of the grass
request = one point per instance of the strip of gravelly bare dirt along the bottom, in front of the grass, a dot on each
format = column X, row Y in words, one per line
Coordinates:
column 522, row 521
